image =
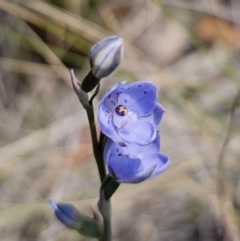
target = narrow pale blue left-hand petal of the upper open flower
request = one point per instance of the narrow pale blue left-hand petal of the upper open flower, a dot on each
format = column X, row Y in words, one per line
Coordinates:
column 106, row 125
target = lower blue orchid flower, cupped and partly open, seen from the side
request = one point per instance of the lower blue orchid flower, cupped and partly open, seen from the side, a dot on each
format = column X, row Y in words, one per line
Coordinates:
column 134, row 163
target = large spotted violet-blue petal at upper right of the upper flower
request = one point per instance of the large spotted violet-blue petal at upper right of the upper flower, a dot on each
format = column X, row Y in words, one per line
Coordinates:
column 139, row 97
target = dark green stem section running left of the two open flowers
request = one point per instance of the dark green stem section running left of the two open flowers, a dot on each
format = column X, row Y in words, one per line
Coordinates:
column 96, row 147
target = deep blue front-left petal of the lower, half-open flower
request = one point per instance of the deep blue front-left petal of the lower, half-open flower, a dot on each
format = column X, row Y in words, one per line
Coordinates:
column 123, row 167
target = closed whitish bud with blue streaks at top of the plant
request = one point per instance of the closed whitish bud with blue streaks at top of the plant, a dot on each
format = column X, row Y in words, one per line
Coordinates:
column 106, row 55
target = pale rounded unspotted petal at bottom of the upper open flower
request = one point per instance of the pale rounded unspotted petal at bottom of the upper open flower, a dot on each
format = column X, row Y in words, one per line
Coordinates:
column 138, row 132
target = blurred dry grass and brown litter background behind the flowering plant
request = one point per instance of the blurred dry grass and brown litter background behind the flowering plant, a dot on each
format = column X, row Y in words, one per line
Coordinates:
column 189, row 49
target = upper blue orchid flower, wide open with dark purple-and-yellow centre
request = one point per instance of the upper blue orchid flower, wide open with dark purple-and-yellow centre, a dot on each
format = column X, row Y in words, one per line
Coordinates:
column 129, row 114
